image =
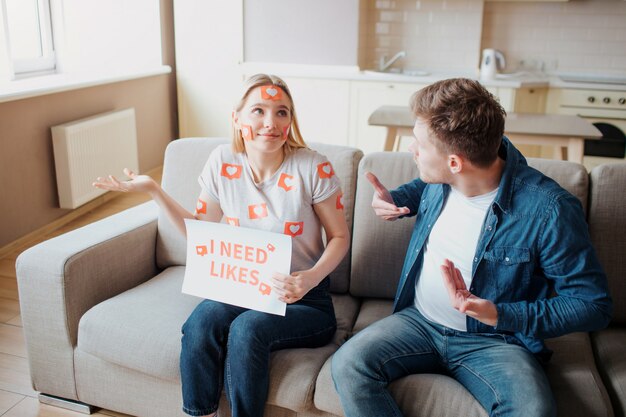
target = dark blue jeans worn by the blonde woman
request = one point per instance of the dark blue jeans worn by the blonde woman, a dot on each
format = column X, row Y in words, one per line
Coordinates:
column 225, row 345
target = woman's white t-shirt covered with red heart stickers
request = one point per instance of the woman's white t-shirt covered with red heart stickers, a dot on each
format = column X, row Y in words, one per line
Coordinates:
column 281, row 204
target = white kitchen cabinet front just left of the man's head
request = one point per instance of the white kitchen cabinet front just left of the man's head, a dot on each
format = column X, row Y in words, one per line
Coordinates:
column 367, row 96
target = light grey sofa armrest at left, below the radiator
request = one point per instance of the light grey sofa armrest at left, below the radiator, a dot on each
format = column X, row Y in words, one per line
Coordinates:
column 61, row 278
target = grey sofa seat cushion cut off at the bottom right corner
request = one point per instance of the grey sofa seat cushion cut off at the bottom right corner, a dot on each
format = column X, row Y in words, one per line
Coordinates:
column 609, row 349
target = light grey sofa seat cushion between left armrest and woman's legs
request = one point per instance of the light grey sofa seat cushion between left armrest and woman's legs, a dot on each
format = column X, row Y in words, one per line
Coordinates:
column 140, row 329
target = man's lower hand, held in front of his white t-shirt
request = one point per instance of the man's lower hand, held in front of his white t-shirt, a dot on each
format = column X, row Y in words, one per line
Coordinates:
column 463, row 300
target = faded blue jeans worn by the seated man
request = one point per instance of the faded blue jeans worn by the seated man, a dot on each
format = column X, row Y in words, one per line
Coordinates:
column 505, row 378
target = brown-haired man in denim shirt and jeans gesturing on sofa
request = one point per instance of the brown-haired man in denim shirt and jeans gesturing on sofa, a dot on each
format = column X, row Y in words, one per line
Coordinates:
column 493, row 240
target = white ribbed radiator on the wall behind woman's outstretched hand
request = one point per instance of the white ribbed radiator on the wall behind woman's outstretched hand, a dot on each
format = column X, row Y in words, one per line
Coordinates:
column 93, row 147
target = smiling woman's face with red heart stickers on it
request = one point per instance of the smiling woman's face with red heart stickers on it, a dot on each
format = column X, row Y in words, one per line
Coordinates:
column 265, row 119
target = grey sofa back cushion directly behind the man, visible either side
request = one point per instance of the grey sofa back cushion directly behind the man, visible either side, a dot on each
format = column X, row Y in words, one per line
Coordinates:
column 379, row 247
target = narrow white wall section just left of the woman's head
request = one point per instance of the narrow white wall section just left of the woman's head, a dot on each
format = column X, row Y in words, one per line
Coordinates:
column 209, row 48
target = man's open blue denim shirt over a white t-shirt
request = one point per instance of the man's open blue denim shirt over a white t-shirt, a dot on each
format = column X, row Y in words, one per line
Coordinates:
column 534, row 259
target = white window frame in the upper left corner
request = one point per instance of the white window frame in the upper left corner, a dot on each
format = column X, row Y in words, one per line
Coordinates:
column 46, row 63
